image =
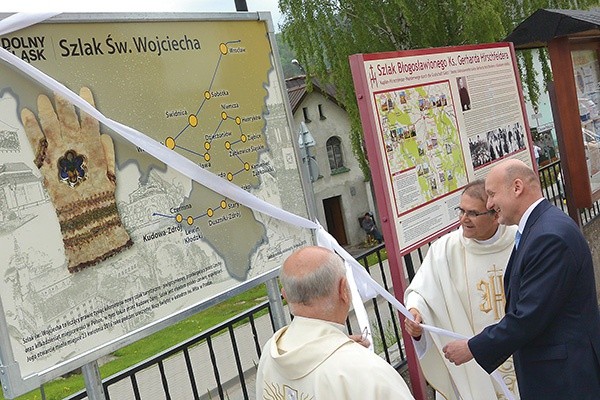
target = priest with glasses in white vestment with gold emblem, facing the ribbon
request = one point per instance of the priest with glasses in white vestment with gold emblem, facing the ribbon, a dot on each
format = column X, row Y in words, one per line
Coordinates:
column 459, row 287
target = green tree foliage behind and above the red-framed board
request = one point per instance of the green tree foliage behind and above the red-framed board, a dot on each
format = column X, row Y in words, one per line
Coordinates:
column 323, row 33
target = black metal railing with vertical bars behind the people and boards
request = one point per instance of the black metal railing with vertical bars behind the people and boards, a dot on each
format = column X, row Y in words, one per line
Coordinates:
column 237, row 382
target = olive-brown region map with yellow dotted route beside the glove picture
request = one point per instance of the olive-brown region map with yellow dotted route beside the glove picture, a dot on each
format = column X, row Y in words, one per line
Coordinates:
column 221, row 128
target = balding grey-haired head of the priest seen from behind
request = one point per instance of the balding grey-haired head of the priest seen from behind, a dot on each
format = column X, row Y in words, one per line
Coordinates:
column 313, row 280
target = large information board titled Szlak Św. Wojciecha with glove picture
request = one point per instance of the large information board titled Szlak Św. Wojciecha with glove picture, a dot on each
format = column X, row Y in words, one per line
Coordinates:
column 102, row 242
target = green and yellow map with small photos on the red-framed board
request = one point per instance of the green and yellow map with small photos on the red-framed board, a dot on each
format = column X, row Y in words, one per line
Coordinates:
column 420, row 134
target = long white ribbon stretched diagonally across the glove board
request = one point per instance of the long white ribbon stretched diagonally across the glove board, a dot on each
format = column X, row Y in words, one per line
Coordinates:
column 361, row 281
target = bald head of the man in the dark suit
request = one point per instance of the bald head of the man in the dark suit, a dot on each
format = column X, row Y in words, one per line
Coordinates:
column 512, row 187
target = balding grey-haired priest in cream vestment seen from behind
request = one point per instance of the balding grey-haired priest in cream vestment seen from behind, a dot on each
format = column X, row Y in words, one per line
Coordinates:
column 313, row 358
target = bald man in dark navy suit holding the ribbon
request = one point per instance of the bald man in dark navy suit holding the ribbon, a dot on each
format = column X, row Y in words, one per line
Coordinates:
column 552, row 321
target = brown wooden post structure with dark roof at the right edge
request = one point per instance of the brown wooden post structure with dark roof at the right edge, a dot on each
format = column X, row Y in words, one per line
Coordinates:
column 563, row 32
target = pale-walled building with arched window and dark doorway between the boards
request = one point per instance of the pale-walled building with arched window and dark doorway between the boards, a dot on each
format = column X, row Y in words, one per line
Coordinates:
column 341, row 194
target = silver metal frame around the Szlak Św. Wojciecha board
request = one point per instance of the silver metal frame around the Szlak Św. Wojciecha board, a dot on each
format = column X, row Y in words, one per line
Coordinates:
column 13, row 381
